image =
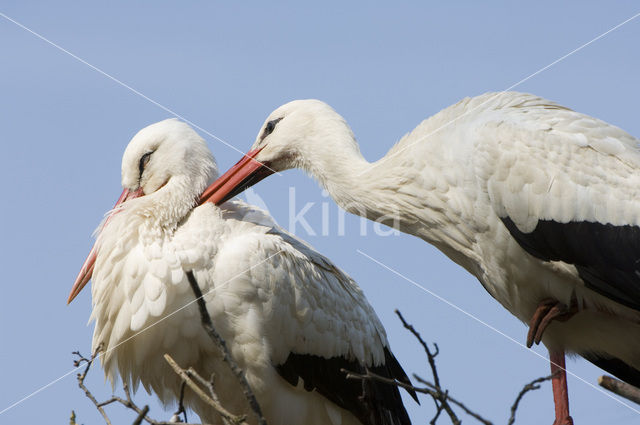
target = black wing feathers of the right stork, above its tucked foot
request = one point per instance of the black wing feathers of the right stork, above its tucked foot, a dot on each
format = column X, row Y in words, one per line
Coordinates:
column 607, row 257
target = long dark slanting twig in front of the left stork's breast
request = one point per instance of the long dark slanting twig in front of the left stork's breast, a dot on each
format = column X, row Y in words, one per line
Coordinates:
column 221, row 344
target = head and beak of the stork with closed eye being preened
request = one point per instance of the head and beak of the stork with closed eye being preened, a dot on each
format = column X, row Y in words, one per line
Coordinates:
column 169, row 165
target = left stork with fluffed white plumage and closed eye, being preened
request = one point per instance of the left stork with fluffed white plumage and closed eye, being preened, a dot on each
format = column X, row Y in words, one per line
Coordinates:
column 291, row 318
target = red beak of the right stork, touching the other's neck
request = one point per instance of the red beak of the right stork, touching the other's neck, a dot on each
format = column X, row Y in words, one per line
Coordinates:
column 247, row 172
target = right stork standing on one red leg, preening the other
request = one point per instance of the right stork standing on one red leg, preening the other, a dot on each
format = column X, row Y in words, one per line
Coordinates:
column 540, row 203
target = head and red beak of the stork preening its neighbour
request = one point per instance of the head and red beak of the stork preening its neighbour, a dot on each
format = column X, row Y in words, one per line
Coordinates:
column 299, row 134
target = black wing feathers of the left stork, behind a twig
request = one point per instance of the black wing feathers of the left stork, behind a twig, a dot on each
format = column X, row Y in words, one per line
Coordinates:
column 373, row 403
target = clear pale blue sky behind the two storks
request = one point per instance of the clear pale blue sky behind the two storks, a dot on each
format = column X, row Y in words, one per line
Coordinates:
column 224, row 67
